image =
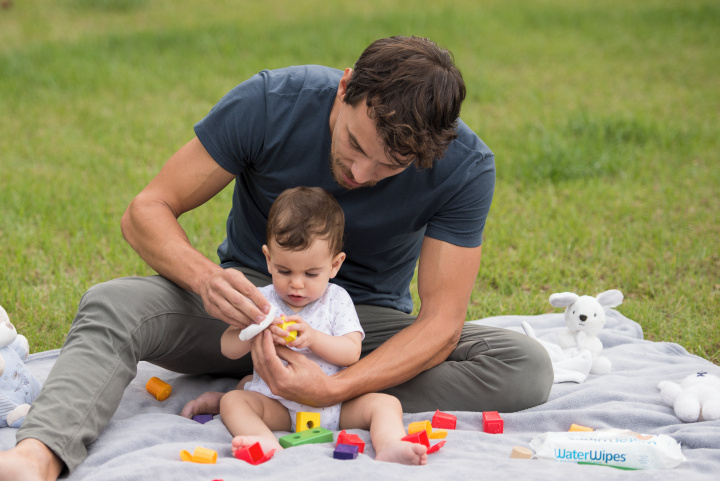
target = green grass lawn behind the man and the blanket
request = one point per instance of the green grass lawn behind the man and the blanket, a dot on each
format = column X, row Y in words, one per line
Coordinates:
column 603, row 116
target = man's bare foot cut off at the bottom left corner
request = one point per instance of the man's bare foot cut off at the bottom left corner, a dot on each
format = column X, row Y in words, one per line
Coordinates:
column 30, row 460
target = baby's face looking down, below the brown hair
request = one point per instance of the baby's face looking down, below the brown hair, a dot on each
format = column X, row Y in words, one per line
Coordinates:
column 301, row 277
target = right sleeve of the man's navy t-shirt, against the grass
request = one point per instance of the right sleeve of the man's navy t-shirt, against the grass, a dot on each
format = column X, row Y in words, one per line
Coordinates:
column 461, row 220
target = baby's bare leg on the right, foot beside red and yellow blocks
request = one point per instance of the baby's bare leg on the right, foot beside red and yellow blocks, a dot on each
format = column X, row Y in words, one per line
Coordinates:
column 382, row 414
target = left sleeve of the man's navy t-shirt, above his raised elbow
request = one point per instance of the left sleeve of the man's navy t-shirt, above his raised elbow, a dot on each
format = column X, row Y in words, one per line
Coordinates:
column 233, row 132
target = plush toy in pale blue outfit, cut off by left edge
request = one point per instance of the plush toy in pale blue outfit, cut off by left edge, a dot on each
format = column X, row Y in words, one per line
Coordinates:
column 18, row 386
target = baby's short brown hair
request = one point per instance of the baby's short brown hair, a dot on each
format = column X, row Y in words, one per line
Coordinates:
column 303, row 214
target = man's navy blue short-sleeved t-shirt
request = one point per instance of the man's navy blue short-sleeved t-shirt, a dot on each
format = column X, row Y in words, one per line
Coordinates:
column 272, row 131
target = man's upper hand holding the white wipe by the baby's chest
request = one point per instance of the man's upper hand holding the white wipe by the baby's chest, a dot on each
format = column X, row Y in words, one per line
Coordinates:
column 229, row 296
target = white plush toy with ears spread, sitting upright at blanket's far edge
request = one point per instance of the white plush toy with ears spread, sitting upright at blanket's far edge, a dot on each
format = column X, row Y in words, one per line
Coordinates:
column 585, row 317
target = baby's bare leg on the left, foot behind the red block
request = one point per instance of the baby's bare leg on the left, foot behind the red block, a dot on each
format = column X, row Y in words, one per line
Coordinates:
column 251, row 417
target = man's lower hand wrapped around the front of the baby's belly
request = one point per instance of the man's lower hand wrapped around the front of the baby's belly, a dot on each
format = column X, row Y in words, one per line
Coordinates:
column 301, row 380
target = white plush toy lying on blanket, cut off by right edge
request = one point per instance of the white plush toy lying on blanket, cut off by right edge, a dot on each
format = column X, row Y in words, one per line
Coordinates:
column 697, row 397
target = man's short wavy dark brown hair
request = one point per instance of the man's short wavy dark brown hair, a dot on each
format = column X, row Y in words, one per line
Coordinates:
column 413, row 91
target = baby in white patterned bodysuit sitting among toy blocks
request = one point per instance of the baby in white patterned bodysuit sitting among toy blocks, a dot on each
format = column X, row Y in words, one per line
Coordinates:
column 305, row 235
